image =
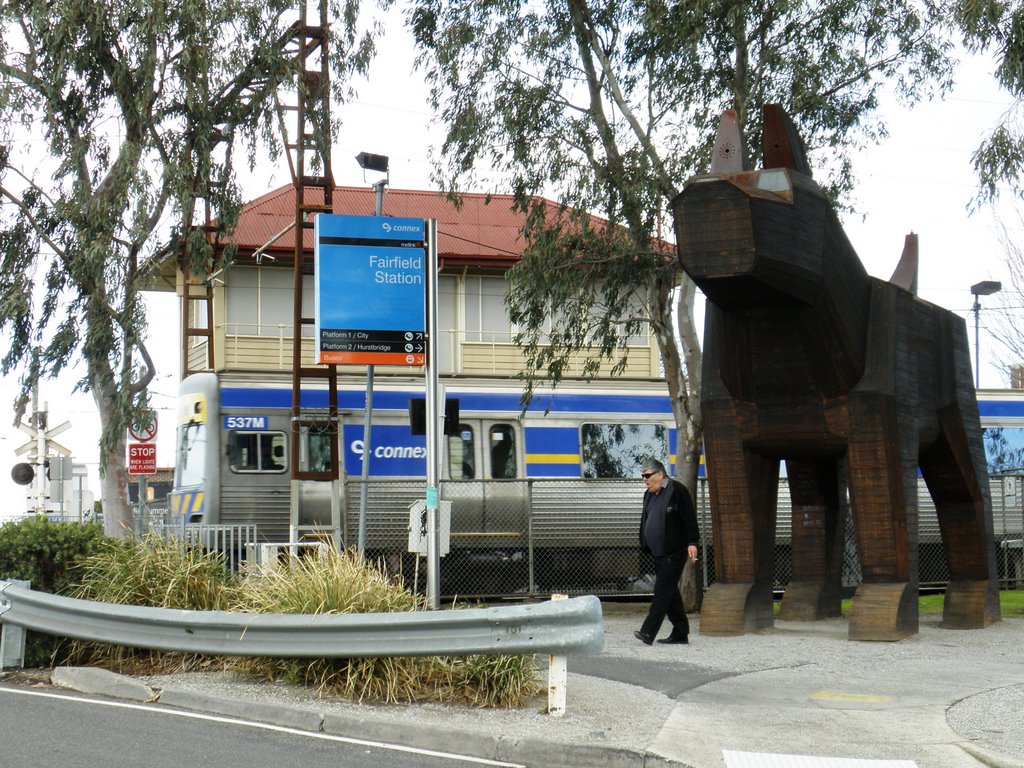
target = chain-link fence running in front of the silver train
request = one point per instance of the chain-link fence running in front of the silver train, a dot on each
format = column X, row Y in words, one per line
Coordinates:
column 535, row 538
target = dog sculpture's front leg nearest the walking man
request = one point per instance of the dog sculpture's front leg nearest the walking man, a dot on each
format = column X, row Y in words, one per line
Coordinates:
column 746, row 489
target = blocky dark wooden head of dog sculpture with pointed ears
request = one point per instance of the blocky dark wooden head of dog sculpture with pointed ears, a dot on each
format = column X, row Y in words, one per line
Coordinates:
column 760, row 239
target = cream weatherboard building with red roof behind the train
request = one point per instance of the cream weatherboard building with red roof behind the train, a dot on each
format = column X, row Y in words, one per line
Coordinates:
column 479, row 241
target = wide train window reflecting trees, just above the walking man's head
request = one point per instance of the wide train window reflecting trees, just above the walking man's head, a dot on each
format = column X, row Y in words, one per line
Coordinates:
column 620, row 450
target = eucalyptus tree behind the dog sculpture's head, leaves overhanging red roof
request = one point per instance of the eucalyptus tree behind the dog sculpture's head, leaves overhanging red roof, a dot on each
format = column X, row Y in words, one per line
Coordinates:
column 609, row 107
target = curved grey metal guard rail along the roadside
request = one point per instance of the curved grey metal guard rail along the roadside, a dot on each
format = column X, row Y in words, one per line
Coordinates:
column 558, row 627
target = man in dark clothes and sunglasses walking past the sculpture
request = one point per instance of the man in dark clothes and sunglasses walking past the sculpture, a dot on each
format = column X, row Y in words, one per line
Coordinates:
column 669, row 532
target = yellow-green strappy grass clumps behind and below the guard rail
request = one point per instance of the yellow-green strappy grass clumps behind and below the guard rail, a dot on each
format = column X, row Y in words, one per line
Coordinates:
column 157, row 573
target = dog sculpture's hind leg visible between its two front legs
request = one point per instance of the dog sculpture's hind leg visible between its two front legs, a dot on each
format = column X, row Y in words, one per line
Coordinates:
column 819, row 525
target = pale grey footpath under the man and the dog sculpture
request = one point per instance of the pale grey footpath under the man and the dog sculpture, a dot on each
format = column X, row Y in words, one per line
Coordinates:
column 799, row 696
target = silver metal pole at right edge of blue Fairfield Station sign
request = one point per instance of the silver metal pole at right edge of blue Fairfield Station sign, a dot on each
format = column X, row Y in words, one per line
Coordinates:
column 433, row 425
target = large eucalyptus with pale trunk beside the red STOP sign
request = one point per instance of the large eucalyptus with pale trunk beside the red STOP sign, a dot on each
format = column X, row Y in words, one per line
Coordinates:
column 118, row 126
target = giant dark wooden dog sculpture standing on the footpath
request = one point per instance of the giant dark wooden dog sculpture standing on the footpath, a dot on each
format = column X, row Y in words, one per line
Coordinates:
column 854, row 381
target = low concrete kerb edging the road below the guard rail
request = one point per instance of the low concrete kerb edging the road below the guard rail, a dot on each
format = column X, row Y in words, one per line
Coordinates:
column 528, row 751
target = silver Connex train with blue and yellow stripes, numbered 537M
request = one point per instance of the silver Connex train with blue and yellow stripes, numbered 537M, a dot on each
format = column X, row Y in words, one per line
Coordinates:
column 543, row 499
